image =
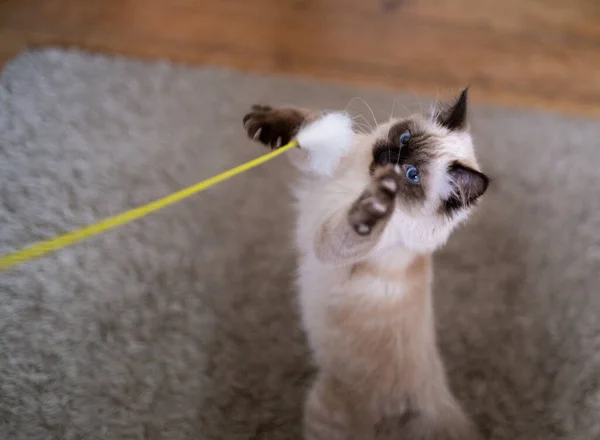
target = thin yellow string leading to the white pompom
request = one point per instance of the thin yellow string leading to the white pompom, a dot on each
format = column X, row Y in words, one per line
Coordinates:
column 62, row 241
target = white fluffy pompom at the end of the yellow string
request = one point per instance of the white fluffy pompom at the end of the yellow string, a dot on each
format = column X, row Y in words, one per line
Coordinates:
column 327, row 140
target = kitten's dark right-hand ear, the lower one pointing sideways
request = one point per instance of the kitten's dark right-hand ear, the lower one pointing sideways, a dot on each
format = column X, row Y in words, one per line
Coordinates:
column 467, row 186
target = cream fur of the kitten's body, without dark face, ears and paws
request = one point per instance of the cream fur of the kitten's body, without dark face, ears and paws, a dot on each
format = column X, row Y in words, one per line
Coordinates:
column 366, row 303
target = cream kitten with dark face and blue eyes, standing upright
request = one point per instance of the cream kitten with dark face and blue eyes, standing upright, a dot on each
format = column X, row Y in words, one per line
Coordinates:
column 365, row 237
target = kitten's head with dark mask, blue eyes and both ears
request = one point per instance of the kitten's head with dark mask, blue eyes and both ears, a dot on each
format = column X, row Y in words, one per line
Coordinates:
column 440, row 178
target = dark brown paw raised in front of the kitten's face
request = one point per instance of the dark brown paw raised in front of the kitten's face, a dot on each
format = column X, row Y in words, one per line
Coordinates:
column 377, row 202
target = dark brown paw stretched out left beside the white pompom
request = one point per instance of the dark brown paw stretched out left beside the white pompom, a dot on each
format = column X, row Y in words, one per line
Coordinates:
column 273, row 127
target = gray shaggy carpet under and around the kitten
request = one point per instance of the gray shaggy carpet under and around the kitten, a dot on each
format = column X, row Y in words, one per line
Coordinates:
column 183, row 325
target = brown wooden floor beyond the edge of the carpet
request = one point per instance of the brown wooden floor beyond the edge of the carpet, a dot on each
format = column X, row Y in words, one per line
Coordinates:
column 543, row 53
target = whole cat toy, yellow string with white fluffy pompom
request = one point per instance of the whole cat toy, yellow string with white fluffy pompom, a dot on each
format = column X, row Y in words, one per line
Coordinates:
column 326, row 140
